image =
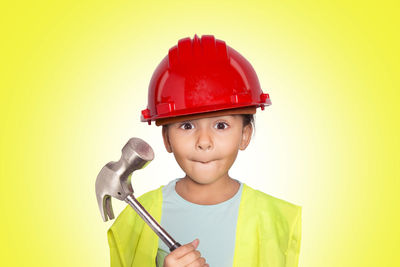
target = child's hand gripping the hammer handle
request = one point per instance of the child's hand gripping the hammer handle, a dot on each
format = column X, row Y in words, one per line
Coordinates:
column 186, row 256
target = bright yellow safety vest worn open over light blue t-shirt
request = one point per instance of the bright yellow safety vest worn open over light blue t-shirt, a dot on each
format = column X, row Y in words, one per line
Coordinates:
column 268, row 232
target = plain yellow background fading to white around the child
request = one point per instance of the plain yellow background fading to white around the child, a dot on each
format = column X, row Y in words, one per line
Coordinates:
column 74, row 78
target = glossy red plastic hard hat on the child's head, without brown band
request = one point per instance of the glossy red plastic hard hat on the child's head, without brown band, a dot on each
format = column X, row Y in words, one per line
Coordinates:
column 202, row 75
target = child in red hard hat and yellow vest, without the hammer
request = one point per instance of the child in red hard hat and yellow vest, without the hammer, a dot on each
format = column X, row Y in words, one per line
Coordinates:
column 204, row 95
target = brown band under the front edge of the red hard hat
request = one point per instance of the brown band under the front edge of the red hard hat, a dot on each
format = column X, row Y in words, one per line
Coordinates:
column 234, row 111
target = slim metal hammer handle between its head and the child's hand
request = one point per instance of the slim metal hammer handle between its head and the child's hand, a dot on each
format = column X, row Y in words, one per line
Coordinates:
column 165, row 237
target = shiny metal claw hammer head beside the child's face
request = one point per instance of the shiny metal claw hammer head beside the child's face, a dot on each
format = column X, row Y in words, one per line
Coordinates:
column 114, row 179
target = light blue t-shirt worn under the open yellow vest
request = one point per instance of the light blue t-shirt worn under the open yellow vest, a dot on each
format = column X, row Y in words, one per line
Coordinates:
column 213, row 225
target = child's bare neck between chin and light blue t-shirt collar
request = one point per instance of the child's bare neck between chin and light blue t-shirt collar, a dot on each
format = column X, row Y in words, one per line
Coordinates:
column 207, row 194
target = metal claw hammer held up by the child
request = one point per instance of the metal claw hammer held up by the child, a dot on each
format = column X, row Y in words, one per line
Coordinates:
column 114, row 180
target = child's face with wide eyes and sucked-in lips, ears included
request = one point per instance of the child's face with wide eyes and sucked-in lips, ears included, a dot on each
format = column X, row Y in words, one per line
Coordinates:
column 206, row 148
